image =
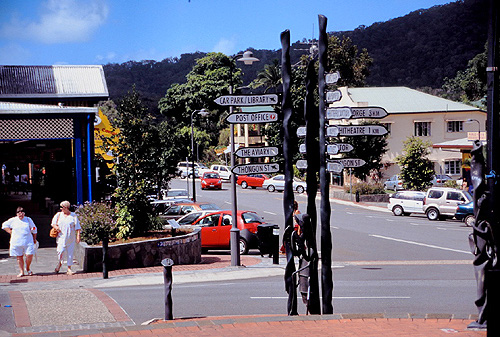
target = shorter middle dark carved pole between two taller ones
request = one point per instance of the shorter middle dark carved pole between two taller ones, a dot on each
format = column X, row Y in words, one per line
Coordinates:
column 312, row 157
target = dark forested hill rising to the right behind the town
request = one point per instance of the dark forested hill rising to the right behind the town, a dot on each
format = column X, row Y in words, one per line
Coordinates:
column 417, row 50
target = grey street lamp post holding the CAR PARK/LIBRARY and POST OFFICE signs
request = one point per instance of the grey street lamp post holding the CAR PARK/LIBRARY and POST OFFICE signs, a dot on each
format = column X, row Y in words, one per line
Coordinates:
column 248, row 59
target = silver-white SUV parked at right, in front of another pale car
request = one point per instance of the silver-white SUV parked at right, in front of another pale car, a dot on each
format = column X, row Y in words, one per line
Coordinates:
column 442, row 202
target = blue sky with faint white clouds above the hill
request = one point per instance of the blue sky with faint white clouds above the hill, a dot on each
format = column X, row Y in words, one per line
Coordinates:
column 46, row 32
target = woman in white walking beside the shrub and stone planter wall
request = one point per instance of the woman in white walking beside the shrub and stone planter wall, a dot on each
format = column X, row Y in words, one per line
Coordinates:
column 68, row 226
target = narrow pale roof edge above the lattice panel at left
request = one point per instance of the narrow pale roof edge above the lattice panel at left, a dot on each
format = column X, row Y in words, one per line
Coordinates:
column 8, row 108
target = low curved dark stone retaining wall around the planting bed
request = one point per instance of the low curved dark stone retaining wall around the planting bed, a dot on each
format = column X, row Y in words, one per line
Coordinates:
column 182, row 249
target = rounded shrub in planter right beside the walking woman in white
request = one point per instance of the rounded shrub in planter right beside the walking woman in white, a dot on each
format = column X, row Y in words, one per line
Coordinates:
column 98, row 220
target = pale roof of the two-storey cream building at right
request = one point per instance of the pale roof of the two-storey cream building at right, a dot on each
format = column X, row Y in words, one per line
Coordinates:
column 399, row 100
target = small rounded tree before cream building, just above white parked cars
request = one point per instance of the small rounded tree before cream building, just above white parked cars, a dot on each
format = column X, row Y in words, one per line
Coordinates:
column 416, row 168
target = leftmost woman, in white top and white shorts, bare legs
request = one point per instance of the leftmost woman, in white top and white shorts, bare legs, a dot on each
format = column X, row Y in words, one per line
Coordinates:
column 22, row 232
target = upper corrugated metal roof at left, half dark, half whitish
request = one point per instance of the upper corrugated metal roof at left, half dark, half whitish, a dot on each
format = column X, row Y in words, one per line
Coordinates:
column 53, row 81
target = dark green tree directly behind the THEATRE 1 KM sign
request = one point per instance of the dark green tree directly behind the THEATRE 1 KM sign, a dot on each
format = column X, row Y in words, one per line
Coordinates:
column 370, row 149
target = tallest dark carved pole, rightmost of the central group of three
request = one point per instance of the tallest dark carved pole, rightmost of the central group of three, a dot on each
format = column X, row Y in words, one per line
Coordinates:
column 325, row 210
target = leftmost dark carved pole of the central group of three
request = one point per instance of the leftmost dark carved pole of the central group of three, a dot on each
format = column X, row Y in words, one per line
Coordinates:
column 286, row 106
